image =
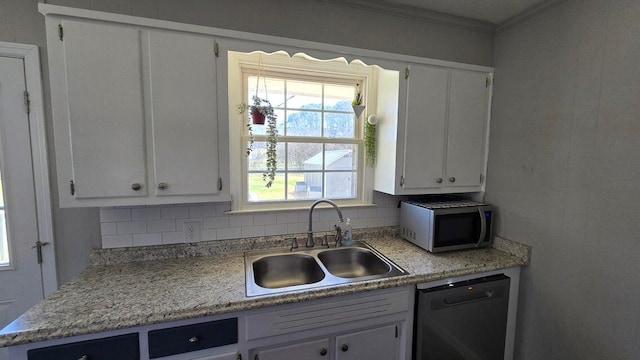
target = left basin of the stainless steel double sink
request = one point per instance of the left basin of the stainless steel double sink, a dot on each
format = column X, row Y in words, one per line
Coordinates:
column 278, row 271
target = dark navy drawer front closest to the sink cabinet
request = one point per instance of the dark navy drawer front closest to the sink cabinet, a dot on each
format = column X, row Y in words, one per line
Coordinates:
column 182, row 339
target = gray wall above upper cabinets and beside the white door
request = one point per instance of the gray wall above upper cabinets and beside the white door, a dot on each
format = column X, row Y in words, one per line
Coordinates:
column 77, row 231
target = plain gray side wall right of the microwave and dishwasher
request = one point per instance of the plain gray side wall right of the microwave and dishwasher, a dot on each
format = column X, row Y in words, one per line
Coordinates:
column 564, row 167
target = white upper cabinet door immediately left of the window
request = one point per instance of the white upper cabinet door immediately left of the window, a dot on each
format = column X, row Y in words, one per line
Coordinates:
column 184, row 113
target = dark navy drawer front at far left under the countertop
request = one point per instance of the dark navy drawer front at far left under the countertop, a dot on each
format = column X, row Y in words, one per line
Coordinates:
column 122, row 347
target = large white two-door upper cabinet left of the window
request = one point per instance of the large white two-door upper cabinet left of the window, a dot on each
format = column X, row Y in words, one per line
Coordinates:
column 135, row 115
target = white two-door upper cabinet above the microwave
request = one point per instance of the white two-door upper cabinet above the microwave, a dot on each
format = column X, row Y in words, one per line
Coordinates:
column 440, row 140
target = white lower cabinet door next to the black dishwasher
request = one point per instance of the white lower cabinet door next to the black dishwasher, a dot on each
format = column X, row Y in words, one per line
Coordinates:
column 378, row 343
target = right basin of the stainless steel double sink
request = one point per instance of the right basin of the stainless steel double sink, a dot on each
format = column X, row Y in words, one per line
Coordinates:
column 353, row 262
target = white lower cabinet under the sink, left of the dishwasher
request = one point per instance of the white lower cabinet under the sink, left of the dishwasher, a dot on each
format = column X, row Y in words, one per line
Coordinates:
column 372, row 325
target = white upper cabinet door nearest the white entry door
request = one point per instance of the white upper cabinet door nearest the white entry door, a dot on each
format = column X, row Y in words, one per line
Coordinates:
column 103, row 70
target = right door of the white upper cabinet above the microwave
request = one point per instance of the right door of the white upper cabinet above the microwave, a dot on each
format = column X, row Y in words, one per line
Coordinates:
column 467, row 128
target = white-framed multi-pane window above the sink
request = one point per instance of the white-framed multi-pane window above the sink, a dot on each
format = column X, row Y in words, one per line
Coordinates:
column 319, row 151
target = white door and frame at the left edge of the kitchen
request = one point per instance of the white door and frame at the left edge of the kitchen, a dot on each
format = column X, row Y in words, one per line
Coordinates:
column 21, row 276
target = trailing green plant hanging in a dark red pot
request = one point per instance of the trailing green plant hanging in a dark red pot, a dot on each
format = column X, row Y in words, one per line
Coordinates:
column 261, row 113
